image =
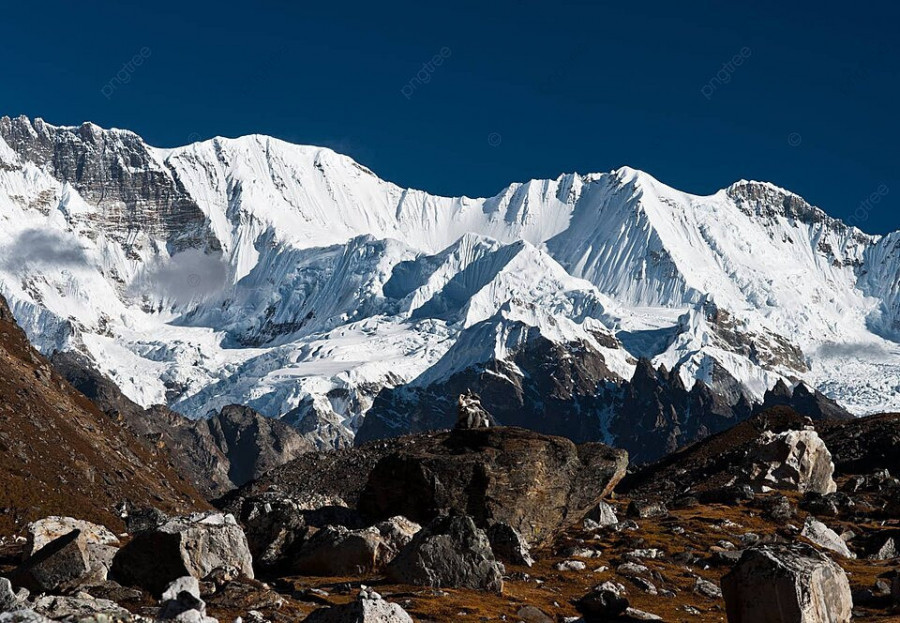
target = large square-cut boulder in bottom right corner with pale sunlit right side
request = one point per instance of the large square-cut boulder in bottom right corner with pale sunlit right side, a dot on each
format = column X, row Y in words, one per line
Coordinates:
column 793, row 583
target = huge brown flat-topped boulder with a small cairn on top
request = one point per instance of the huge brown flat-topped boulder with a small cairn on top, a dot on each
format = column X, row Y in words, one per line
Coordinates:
column 534, row 483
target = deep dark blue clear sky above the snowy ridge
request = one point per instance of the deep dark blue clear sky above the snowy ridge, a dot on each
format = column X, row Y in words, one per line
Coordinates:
column 528, row 88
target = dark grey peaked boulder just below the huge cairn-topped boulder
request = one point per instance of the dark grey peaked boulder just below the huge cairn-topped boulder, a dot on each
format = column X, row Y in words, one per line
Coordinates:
column 450, row 552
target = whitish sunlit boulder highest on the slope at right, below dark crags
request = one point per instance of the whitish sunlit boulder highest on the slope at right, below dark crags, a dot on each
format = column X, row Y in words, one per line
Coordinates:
column 795, row 460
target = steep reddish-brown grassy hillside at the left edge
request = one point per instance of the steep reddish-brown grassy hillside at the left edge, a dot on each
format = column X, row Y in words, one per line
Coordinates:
column 48, row 430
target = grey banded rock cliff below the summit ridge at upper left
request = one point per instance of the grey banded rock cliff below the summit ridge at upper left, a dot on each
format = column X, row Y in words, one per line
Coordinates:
column 114, row 171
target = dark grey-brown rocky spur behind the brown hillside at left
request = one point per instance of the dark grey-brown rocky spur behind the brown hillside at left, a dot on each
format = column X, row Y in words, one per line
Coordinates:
column 225, row 451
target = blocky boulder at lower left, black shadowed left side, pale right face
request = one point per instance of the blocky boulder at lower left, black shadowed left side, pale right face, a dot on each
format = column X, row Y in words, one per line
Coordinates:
column 193, row 545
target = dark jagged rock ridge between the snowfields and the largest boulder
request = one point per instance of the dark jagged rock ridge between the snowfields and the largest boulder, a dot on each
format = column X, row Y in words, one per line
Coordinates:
column 649, row 415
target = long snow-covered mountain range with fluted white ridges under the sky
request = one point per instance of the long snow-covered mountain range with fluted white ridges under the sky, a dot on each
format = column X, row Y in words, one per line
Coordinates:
column 294, row 280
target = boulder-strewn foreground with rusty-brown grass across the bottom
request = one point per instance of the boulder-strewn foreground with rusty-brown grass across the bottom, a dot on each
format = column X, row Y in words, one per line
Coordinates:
column 773, row 520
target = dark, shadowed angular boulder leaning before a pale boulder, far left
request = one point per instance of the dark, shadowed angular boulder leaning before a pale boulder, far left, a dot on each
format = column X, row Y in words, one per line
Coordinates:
column 60, row 565
